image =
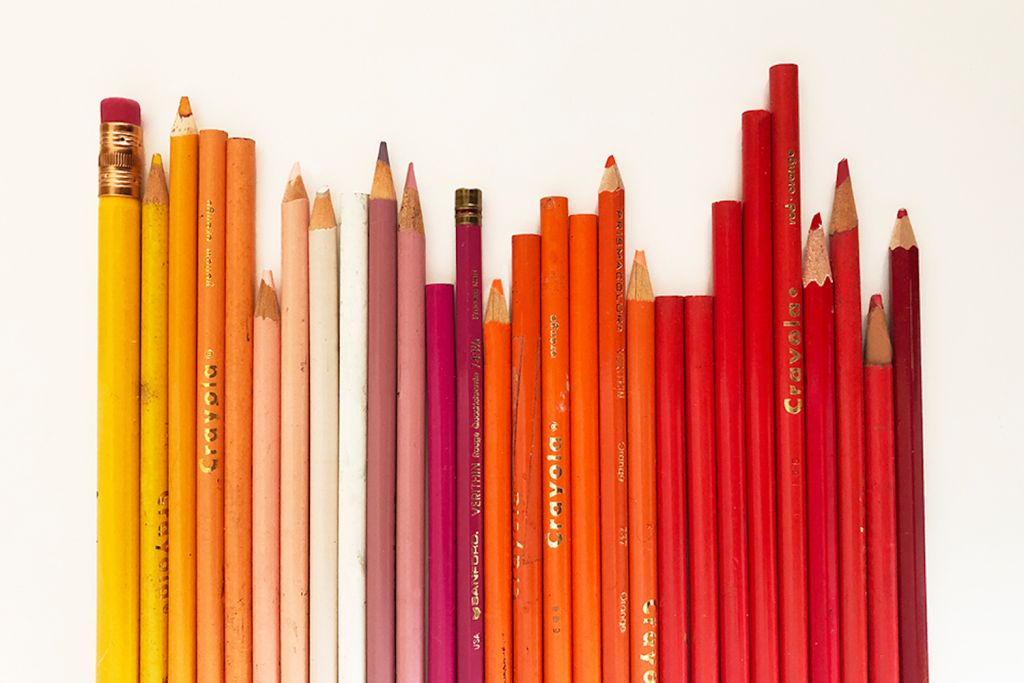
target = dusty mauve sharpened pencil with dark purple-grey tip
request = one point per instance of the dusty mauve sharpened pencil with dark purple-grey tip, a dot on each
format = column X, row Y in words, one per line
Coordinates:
column 381, row 389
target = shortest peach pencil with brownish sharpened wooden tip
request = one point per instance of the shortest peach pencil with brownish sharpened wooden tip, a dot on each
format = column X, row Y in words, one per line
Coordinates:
column 267, row 483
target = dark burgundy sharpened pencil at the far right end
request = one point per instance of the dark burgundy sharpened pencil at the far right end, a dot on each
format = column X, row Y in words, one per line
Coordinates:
column 906, row 293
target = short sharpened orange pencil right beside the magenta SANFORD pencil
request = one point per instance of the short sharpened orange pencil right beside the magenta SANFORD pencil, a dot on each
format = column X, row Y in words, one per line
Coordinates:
column 497, row 488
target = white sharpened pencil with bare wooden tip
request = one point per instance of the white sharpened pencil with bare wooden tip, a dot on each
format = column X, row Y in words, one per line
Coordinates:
column 324, row 439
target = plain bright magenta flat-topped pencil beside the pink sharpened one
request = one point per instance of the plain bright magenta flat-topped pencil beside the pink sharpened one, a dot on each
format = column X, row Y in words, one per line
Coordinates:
column 441, row 437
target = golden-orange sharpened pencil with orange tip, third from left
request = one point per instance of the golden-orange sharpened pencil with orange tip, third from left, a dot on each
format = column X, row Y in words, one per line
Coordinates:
column 182, row 270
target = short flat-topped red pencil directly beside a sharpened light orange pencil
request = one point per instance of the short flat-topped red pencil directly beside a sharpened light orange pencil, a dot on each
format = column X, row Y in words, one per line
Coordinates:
column 672, row 576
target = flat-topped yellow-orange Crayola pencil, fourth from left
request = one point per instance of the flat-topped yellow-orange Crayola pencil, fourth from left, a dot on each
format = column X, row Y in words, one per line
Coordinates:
column 210, row 400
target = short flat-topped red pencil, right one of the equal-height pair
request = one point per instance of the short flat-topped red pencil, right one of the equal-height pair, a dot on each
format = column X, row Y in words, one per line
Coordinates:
column 699, row 355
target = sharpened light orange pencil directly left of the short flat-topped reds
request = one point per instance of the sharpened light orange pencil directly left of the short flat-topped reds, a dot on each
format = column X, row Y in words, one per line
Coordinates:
column 643, row 474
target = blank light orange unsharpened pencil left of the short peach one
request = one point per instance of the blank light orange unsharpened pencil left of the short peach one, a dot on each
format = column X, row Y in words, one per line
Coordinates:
column 241, row 251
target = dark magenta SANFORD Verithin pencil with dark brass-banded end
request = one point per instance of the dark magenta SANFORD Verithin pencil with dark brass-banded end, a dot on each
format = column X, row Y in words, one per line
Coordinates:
column 470, row 437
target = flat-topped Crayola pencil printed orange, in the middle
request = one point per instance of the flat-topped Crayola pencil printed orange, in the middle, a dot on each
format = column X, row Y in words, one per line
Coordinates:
column 558, row 458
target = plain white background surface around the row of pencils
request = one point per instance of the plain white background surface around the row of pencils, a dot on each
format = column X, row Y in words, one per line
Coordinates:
column 527, row 100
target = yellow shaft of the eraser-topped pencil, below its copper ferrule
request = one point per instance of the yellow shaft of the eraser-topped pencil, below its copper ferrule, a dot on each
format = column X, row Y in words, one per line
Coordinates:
column 118, row 422
